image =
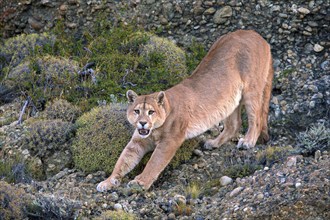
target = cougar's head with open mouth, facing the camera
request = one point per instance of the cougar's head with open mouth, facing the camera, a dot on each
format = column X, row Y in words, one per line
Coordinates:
column 146, row 112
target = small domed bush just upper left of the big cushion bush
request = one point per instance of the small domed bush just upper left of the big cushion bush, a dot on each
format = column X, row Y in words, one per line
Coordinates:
column 61, row 109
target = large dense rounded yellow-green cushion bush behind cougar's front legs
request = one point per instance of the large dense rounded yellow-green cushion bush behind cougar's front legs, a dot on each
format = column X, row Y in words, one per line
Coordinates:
column 101, row 136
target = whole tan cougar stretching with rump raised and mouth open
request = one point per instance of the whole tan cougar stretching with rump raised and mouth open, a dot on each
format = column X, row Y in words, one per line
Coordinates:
column 236, row 71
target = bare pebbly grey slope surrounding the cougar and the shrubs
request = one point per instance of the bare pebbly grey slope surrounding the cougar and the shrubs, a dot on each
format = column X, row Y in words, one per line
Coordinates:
column 287, row 179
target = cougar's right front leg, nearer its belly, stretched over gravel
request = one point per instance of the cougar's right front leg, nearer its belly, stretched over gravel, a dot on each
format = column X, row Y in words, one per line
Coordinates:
column 159, row 159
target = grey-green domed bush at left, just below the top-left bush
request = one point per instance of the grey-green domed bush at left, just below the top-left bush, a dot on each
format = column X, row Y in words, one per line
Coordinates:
column 44, row 78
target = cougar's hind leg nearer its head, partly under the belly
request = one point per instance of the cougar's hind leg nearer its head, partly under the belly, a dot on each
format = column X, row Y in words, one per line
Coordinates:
column 232, row 125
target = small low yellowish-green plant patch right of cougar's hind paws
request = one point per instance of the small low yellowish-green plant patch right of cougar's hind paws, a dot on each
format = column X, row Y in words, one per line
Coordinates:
column 273, row 154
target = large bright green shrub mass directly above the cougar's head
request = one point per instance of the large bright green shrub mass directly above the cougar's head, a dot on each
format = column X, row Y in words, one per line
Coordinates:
column 126, row 58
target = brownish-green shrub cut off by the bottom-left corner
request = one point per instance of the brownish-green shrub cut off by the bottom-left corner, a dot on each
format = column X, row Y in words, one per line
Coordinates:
column 12, row 202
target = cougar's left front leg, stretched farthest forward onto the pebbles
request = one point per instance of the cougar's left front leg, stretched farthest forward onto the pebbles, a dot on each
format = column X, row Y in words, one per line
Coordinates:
column 129, row 158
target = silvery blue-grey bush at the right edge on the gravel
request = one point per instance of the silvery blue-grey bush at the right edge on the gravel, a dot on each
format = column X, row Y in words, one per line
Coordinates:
column 317, row 137
